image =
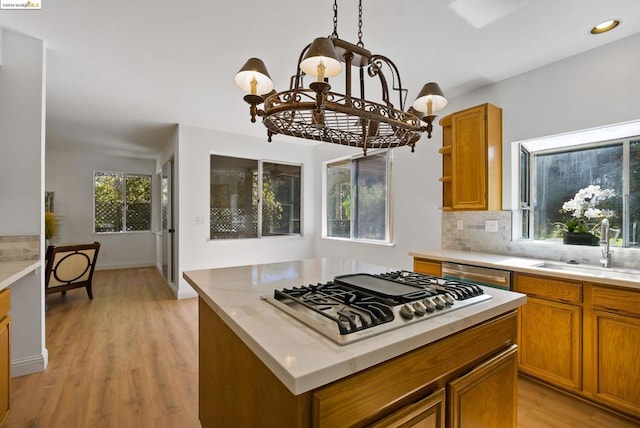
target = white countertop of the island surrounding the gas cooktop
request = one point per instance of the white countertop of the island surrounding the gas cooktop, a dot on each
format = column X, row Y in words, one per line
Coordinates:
column 300, row 357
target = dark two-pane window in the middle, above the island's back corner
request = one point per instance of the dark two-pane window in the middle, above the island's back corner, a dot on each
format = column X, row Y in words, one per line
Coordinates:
column 252, row 199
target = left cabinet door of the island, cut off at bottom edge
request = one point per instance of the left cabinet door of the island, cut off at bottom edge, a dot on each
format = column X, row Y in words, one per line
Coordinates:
column 426, row 413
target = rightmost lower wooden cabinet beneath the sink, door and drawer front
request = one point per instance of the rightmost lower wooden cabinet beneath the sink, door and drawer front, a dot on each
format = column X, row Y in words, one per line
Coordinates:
column 613, row 348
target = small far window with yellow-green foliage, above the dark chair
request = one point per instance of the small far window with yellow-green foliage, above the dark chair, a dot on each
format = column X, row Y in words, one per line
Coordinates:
column 122, row 202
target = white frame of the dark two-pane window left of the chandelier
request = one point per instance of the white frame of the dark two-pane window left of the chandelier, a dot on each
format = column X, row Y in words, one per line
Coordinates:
column 260, row 180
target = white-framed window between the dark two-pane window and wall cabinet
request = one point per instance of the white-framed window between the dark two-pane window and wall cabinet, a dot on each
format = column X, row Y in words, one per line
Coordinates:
column 357, row 198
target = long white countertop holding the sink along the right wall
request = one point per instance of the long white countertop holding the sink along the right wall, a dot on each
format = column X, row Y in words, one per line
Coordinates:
column 613, row 276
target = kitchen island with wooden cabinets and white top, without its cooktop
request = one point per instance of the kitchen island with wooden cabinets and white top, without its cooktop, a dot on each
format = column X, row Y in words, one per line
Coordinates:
column 261, row 367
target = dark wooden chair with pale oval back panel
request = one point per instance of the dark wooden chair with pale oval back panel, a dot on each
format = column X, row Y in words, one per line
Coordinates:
column 70, row 266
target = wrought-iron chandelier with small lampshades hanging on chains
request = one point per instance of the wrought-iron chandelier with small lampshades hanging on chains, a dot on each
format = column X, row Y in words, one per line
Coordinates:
column 318, row 113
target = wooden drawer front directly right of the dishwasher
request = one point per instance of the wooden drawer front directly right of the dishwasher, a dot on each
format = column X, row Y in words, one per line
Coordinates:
column 549, row 288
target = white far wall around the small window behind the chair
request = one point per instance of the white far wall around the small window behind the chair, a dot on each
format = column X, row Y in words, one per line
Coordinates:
column 70, row 176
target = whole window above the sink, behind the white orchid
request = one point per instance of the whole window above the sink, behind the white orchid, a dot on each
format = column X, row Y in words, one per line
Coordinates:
column 557, row 174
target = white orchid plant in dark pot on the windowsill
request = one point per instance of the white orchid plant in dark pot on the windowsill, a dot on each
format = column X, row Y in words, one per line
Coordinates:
column 584, row 208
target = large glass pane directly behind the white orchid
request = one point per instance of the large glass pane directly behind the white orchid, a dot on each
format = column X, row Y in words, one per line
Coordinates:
column 560, row 175
